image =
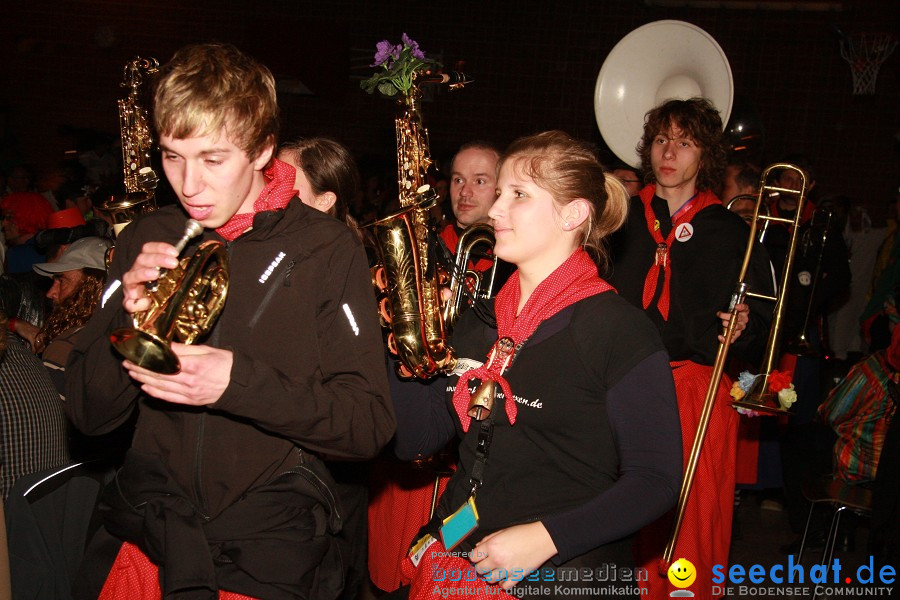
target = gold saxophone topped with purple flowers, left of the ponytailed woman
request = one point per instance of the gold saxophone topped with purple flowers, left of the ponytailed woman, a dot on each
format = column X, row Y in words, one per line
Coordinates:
column 408, row 278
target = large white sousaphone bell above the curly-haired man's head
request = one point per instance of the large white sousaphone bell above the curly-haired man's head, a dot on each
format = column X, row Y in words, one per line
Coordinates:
column 656, row 62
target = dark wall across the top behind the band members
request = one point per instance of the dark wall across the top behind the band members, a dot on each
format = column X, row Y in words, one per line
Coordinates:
column 534, row 68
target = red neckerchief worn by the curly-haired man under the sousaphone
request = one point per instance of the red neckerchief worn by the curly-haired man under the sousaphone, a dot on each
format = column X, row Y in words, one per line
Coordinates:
column 663, row 258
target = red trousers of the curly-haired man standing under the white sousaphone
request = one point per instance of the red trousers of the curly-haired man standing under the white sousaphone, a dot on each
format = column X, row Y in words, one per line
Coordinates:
column 705, row 535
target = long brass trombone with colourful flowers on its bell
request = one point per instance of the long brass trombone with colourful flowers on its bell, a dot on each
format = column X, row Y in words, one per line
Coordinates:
column 759, row 398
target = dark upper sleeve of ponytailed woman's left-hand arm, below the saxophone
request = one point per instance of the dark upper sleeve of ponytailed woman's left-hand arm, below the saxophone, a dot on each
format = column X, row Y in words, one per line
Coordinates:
column 424, row 421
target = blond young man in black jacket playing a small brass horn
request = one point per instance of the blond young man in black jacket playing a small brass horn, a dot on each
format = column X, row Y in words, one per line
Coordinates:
column 222, row 488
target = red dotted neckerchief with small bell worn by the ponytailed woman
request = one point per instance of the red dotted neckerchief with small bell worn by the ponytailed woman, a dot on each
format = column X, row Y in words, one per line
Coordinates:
column 572, row 281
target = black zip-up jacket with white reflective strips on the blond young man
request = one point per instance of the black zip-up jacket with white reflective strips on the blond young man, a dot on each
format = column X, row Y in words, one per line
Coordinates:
column 308, row 366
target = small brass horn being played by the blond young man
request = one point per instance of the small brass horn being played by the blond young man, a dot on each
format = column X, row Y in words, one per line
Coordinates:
column 185, row 303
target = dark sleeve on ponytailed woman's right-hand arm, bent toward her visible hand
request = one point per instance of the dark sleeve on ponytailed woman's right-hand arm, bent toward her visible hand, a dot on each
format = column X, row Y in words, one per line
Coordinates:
column 644, row 418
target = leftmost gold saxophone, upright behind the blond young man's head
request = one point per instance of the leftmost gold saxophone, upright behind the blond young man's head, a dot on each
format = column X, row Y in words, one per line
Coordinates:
column 140, row 178
